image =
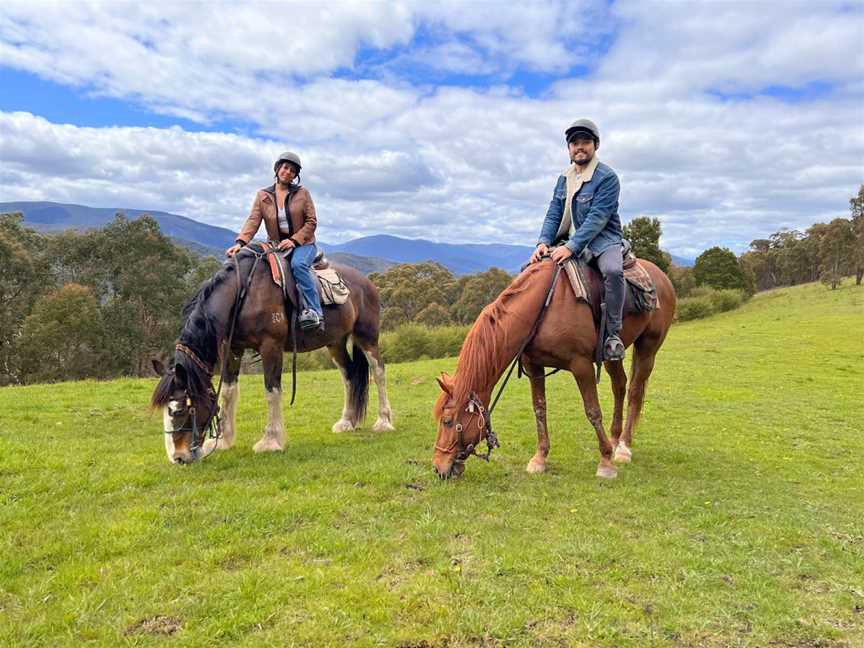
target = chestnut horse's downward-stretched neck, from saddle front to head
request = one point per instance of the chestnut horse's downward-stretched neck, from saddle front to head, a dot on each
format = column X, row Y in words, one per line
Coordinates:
column 498, row 333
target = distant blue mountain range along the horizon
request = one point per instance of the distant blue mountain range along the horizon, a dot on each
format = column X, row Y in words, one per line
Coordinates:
column 367, row 254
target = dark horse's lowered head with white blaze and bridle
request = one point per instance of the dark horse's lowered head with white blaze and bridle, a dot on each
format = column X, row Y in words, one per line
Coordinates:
column 189, row 409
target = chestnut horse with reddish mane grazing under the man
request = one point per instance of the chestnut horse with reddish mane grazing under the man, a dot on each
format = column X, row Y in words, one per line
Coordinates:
column 566, row 338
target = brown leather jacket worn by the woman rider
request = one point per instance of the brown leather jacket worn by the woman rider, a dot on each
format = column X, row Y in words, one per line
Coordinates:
column 301, row 211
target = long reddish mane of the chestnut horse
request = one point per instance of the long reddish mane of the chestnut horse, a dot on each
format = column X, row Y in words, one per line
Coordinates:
column 481, row 358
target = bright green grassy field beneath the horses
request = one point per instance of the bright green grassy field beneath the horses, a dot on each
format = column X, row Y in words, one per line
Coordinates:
column 740, row 522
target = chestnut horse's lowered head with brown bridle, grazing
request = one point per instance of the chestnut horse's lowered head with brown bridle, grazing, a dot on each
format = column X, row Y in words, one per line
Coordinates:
column 463, row 422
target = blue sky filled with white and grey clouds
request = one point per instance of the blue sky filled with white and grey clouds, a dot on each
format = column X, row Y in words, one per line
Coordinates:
column 725, row 120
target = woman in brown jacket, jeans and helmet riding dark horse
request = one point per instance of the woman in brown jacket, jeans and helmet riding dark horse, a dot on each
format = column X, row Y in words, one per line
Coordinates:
column 288, row 213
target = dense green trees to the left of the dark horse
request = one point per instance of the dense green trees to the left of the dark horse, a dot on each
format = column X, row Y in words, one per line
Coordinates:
column 97, row 304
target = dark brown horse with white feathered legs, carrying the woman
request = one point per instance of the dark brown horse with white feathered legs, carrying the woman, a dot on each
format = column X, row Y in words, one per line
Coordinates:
column 185, row 391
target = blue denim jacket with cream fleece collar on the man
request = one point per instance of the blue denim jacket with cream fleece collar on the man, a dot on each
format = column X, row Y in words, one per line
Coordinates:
column 596, row 223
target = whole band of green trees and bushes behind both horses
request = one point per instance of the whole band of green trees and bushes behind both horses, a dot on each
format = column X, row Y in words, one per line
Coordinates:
column 101, row 303
